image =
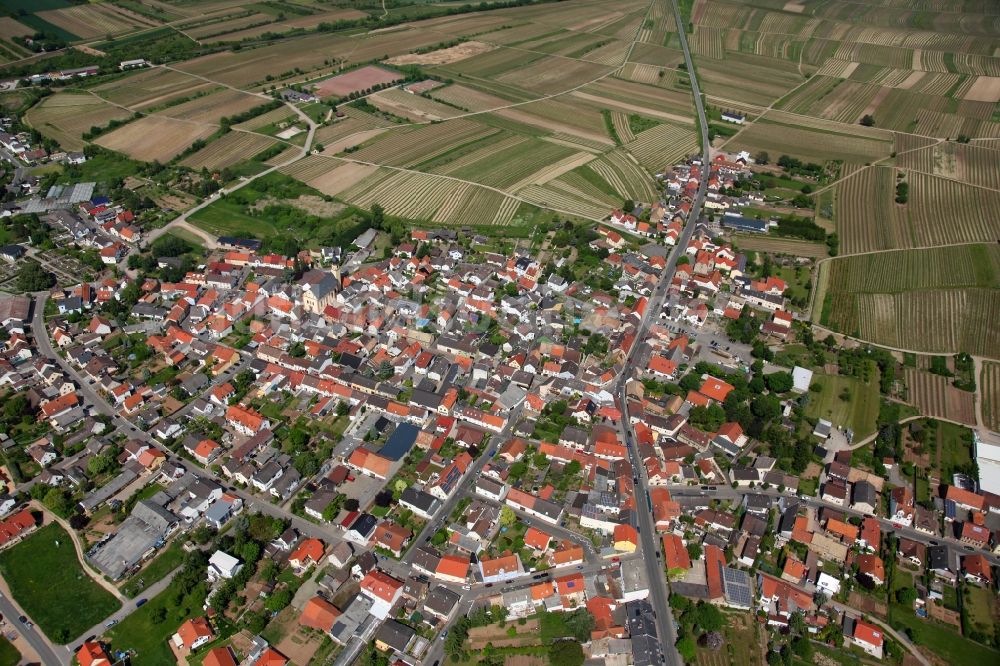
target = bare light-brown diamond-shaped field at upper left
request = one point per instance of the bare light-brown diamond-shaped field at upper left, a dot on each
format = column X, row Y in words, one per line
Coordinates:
column 155, row 138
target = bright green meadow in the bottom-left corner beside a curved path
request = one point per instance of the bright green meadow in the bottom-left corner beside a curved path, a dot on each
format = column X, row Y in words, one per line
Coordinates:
column 49, row 583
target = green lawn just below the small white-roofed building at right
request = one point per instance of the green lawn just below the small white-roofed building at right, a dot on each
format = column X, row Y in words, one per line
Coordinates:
column 858, row 412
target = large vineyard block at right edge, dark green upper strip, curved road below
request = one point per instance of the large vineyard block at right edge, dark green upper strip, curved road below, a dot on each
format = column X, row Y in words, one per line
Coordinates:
column 939, row 300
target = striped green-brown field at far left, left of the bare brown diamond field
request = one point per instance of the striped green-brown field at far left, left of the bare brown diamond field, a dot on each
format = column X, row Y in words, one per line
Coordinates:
column 64, row 117
